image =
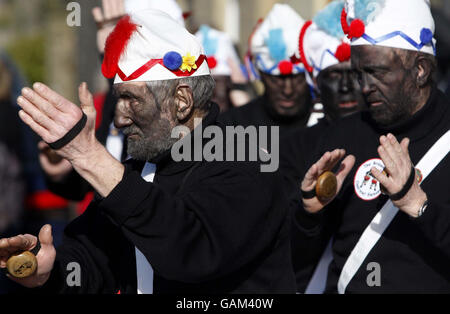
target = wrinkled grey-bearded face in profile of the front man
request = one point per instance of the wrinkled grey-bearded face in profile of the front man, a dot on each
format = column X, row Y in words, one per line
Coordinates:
column 146, row 123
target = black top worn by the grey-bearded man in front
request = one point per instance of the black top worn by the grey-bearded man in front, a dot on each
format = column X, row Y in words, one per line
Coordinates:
column 205, row 227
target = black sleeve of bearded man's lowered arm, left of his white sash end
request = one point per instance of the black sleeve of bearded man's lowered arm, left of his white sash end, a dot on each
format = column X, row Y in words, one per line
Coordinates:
column 95, row 244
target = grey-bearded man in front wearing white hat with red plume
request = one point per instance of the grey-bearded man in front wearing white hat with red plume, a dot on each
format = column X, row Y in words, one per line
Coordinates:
column 157, row 225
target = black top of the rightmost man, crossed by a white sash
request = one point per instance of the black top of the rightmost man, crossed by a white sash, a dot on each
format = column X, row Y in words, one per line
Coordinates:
column 414, row 254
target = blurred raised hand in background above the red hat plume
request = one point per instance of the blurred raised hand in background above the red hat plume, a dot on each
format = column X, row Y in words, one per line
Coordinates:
column 106, row 18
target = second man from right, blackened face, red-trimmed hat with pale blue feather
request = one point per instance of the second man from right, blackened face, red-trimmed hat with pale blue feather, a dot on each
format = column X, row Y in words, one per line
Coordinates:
column 325, row 52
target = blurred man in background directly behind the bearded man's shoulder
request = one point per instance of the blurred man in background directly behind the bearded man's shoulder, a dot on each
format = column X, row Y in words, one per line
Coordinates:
column 286, row 101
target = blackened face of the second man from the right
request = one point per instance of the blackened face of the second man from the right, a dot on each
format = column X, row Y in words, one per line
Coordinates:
column 340, row 91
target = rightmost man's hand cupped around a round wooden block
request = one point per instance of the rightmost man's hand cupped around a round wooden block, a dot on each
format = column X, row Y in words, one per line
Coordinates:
column 327, row 163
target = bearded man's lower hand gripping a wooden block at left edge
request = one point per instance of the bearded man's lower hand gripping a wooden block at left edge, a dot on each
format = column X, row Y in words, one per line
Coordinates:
column 45, row 257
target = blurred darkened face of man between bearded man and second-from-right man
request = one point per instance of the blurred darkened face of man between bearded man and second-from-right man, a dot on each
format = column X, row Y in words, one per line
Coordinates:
column 288, row 95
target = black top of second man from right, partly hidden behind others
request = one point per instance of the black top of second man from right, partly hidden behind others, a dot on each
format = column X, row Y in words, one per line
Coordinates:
column 295, row 159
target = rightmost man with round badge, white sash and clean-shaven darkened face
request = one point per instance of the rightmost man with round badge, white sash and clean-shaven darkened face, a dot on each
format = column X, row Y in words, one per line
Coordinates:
column 392, row 214
